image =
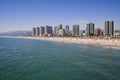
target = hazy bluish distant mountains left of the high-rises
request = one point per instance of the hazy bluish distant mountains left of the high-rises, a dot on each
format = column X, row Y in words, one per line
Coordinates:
column 16, row 33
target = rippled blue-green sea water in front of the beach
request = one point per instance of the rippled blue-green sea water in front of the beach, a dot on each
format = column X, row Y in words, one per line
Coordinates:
column 24, row 59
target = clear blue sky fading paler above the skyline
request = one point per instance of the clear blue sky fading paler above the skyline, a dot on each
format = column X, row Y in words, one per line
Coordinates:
column 26, row 14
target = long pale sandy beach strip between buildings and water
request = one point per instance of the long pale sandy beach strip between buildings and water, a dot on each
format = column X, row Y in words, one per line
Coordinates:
column 108, row 43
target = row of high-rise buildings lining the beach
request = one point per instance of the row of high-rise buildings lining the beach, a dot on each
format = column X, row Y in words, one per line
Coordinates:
column 90, row 30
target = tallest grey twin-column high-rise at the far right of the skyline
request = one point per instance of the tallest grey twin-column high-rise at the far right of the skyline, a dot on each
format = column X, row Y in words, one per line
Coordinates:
column 109, row 28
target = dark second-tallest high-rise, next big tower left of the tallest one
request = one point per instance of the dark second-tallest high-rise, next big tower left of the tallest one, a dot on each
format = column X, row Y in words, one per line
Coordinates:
column 90, row 29
